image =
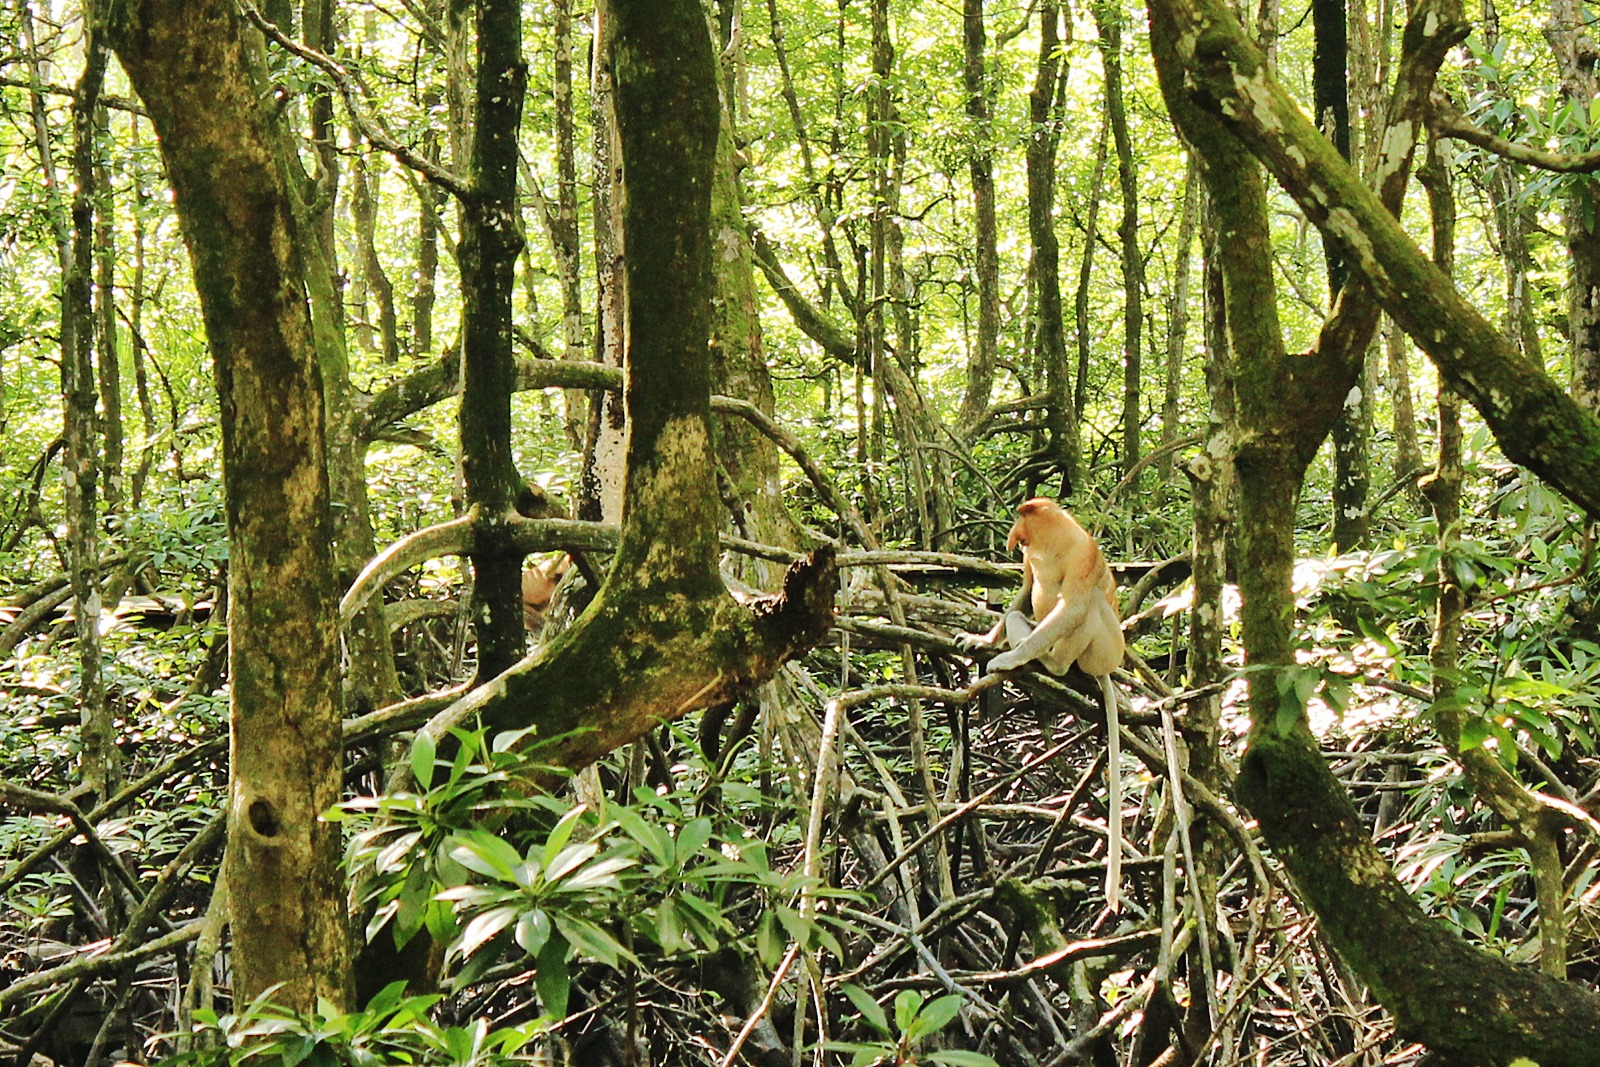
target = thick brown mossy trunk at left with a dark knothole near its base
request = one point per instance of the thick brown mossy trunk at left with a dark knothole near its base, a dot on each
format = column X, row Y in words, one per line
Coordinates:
column 196, row 65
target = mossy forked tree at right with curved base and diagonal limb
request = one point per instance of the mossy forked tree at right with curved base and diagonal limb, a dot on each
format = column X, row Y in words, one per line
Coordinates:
column 1468, row 1005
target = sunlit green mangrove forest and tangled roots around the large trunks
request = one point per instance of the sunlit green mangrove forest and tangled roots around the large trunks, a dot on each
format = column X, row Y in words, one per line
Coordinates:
column 961, row 258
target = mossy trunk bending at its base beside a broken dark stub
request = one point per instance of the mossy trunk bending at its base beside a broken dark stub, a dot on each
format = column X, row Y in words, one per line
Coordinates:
column 663, row 637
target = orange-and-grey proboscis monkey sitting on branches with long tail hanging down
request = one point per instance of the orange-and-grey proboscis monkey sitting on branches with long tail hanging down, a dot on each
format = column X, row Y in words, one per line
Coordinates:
column 1073, row 601
